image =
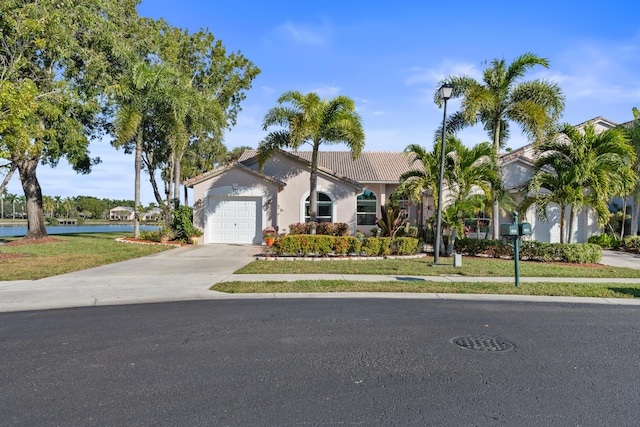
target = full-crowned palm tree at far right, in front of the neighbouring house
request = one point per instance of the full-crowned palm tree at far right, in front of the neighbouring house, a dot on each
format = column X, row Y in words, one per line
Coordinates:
column 580, row 167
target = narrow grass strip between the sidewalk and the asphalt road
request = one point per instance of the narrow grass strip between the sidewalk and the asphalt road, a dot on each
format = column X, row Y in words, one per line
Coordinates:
column 601, row 290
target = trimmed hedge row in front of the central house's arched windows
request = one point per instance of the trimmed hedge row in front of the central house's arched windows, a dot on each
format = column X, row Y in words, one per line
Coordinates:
column 305, row 244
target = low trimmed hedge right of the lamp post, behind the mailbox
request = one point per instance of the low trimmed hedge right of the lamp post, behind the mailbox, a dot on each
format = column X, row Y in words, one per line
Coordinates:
column 532, row 250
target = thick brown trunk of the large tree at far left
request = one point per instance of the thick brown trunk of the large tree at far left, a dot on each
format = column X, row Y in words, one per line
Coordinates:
column 33, row 198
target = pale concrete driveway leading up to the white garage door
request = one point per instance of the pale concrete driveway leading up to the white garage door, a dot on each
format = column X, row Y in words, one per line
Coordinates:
column 184, row 273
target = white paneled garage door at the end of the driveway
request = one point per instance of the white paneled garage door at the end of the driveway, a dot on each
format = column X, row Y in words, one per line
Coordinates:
column 233, row 220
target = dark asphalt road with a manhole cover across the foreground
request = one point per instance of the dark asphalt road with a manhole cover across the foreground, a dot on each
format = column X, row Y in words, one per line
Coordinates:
column 321, row 362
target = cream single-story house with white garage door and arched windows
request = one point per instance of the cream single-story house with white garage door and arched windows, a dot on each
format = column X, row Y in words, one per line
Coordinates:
column 235, row 202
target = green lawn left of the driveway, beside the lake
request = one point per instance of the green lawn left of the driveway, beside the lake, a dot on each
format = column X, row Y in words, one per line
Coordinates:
column 71, row 252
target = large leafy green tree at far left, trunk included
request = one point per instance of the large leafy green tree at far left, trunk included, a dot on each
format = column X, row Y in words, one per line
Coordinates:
column 54, row 59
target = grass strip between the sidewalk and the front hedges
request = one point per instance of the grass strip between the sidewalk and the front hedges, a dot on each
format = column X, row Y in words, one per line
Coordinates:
column 471, row 267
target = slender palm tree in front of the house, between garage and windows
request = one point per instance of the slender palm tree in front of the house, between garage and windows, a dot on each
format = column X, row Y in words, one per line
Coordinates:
column 308, row 119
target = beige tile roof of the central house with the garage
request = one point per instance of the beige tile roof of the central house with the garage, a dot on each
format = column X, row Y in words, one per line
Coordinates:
column 371, row 166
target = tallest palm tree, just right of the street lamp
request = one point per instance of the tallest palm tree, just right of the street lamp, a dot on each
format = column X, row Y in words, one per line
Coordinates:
column 501, row 98
